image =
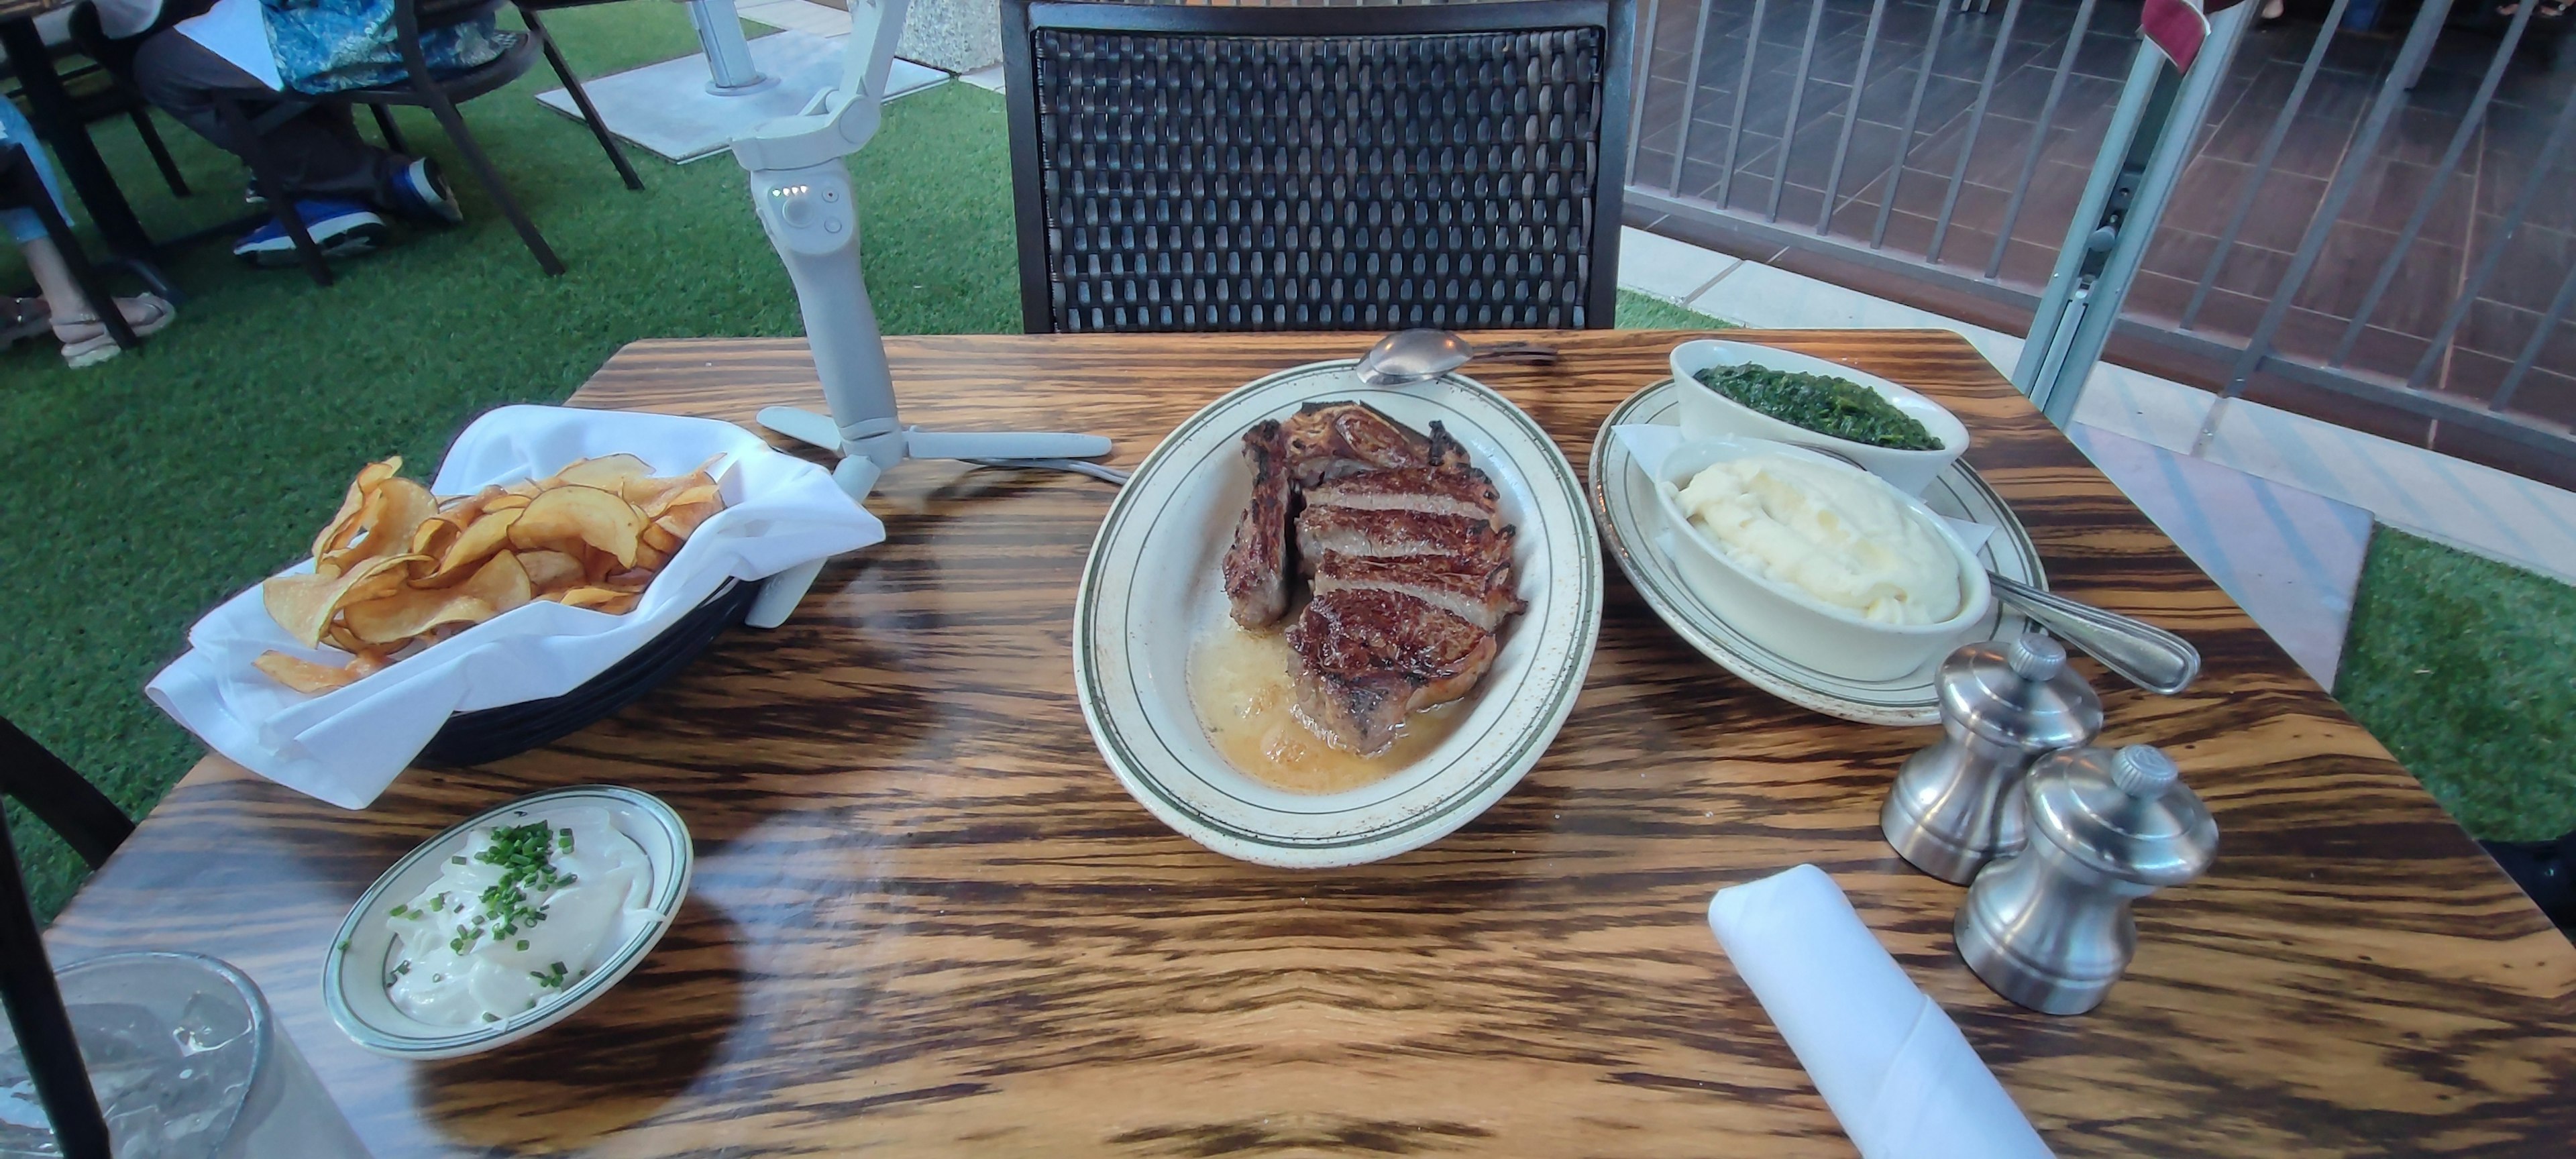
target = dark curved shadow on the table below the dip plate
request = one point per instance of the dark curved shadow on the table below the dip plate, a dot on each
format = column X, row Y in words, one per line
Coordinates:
column 614, row 1065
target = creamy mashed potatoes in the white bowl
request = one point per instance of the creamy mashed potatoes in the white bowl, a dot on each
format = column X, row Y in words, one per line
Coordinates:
column 1828, row 532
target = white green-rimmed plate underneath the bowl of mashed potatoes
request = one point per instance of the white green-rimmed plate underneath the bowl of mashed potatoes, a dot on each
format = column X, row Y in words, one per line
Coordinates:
column 1632, row 522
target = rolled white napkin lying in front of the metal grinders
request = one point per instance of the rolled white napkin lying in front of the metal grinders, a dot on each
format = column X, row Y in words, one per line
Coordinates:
column 1887, row 1060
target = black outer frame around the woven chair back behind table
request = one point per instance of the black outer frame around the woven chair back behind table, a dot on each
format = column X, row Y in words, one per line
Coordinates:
column 1024, row 19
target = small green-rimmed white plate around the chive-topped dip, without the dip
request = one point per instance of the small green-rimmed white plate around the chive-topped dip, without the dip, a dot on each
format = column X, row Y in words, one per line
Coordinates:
column 365, row 952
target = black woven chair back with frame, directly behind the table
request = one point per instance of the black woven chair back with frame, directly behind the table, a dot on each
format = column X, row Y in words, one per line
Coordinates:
column 1318, row 169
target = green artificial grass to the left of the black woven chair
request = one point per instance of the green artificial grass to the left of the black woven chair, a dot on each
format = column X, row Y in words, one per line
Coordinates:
column 156, row 485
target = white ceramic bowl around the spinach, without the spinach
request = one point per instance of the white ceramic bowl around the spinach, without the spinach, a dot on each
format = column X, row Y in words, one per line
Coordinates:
column 1714, row 416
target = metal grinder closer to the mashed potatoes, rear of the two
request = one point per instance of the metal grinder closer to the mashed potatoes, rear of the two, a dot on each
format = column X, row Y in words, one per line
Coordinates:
column 2000, row 710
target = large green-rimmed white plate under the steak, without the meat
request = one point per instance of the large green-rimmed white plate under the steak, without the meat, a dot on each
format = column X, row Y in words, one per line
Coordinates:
column 1155, row 586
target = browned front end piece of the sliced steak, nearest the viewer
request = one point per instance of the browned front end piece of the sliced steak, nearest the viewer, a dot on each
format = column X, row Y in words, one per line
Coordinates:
column 1372, row 658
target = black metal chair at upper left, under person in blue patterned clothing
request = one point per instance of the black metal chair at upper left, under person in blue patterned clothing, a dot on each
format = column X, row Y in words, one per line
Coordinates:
column 254, row 112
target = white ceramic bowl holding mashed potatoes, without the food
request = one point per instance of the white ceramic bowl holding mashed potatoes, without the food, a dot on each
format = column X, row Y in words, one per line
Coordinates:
column 1789, row 622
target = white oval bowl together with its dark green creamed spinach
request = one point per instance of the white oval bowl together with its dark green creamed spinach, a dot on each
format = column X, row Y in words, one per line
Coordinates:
column 1815, row 413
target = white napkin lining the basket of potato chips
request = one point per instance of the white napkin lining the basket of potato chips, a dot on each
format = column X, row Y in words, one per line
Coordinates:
column 349, row 743
